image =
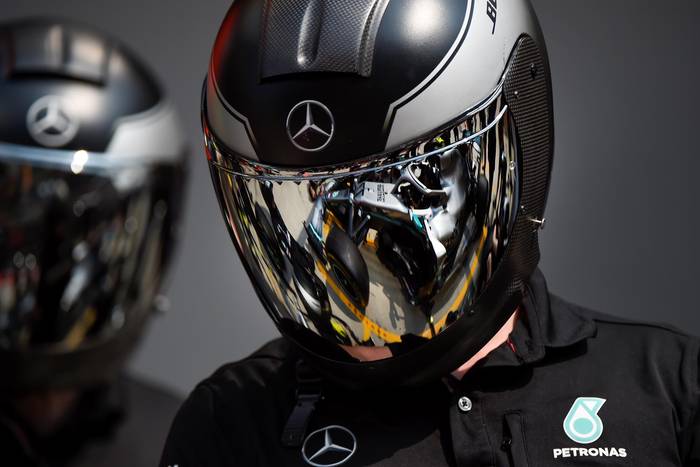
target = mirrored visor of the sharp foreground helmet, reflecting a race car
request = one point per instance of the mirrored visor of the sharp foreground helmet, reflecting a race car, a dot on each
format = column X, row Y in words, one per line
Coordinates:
column 387, row 251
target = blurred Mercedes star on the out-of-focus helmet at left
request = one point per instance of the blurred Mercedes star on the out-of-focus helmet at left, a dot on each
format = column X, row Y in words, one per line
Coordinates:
column 50, row 123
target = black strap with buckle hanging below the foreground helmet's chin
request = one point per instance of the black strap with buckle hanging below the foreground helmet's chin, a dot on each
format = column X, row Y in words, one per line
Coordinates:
column 308, row 394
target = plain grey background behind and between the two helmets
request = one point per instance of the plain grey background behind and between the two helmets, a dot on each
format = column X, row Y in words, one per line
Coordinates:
column 623, row 214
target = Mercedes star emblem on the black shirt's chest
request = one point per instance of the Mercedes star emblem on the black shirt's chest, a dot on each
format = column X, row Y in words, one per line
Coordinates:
column 329, row 447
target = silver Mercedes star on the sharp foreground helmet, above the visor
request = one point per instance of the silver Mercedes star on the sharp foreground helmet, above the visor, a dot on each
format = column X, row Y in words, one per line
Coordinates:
column 310, row 126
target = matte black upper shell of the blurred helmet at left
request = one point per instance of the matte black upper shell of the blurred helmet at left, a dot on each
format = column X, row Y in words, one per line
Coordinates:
column 40, row 58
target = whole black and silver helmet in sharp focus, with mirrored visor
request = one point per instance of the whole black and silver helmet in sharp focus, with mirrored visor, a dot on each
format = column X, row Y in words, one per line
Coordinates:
column 383, row 168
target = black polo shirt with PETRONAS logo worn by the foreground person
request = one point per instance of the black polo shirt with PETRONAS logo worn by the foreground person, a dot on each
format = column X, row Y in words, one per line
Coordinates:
column 570, row 388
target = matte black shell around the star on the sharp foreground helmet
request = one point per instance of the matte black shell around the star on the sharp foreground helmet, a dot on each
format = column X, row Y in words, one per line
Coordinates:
column 359, row 105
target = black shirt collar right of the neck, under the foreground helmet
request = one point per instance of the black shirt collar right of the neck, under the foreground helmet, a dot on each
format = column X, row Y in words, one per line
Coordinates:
column 545, row 321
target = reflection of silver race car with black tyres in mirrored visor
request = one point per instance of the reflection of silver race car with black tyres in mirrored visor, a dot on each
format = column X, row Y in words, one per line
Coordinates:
column 413, row 217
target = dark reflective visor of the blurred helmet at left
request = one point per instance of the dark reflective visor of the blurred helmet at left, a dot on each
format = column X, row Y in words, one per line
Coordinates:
column 82, row 242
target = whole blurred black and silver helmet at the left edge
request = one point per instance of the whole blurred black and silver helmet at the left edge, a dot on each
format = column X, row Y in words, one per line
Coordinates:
column 91, row 164
